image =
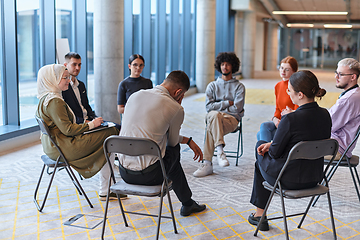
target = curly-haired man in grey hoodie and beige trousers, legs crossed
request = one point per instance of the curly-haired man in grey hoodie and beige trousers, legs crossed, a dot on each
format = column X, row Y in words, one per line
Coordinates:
column 225, row 106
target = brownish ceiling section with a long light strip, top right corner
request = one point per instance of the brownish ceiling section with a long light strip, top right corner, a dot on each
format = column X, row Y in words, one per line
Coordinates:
column 351, row 6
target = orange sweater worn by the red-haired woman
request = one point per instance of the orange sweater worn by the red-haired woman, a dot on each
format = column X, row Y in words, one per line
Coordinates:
column 282, row 98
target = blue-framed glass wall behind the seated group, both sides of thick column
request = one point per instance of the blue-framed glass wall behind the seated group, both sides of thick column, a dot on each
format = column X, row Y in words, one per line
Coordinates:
column 163, row 31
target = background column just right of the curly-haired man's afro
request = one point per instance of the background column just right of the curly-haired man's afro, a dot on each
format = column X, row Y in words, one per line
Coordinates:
column 249, row 39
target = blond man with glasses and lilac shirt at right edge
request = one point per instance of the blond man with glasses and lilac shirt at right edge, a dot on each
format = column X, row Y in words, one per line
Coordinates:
column 345, row 114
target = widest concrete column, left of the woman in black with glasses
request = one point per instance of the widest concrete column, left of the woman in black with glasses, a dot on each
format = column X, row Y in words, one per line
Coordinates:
column 108, row 56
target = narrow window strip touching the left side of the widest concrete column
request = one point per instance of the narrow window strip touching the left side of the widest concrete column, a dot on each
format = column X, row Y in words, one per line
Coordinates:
column 90, row 51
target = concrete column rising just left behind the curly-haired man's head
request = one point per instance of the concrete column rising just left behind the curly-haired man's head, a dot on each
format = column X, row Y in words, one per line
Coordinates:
column 205, row 43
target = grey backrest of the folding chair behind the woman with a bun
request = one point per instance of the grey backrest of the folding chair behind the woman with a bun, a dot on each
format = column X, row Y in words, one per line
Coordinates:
column 311, row 150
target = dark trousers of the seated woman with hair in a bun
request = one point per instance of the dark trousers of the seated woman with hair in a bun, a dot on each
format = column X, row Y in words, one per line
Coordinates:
column 260, row 195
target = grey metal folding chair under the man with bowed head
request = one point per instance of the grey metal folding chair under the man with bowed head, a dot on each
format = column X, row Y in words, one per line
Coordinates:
column 133, row 146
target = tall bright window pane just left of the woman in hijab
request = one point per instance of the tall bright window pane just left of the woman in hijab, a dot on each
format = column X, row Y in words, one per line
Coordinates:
column 28, row 55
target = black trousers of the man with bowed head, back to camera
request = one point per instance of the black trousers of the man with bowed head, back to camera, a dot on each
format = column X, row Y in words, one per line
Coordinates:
column 173, row 170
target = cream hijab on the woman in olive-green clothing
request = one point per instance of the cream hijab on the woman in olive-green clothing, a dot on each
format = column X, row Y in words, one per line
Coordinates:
column 49, row 77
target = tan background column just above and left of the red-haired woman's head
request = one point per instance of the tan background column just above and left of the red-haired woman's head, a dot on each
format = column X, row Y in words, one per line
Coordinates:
column 272, row 44
